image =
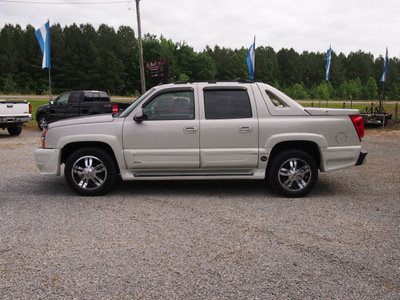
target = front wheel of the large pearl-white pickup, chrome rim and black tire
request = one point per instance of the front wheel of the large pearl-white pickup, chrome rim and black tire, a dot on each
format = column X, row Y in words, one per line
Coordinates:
column 90, row 172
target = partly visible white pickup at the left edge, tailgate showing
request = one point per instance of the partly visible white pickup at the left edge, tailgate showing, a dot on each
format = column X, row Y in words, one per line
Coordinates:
column 13, row 114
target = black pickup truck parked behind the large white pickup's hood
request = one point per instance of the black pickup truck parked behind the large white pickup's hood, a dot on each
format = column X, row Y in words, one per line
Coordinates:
column 77, row 103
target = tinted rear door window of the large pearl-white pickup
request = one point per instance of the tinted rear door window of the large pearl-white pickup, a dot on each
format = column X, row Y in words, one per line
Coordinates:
column 227, row 104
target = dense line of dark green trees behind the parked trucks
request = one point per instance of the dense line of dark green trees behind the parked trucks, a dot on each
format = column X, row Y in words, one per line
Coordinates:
column 108, row 59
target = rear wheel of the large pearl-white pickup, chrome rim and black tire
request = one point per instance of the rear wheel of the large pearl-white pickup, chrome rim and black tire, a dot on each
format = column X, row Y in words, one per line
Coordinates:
column 292, row 173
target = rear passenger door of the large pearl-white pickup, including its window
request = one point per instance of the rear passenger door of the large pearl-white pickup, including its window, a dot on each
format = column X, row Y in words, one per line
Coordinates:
column 228, row 129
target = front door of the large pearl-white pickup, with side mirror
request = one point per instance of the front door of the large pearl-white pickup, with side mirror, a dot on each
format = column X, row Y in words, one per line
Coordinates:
column 168, row 139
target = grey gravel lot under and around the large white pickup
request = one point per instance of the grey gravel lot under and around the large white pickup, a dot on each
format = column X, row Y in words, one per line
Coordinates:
column 201, row 239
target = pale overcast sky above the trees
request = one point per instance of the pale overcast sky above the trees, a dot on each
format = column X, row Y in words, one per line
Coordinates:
column 304, row 25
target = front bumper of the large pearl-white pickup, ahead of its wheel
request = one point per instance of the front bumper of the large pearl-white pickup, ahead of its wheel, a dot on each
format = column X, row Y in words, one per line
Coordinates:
column 48, row 161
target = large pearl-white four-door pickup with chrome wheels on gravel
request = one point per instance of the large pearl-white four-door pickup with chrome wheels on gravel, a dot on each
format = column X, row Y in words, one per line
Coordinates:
column 205, row 130
